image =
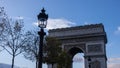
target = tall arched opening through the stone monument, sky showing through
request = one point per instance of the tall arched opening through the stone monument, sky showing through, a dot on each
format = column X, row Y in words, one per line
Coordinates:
column 77, row 57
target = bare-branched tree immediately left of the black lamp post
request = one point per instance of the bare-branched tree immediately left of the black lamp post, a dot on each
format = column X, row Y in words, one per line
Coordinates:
column 31, row 47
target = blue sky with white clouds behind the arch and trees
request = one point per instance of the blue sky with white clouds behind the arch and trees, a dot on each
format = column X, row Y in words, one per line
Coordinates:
column 66, row 13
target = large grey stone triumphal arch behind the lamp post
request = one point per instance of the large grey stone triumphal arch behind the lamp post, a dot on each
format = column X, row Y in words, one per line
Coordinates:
column 88, row 39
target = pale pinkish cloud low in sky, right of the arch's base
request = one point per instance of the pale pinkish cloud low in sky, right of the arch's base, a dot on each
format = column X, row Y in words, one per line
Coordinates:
column 114, row 63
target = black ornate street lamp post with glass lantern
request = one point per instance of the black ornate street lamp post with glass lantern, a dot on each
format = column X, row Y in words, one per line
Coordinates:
column 42, row 22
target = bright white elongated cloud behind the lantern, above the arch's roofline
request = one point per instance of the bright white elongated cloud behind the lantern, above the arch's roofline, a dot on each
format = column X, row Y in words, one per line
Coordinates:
column 58, row 23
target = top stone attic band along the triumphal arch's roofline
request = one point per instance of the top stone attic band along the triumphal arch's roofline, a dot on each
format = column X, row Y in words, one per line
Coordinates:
column 93, row 30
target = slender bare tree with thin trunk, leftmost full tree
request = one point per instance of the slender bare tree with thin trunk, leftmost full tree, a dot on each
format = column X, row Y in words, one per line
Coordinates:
column 14, row 40
